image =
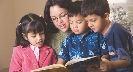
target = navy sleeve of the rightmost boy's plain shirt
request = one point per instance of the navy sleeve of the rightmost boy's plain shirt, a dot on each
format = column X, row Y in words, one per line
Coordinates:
column 122, row 44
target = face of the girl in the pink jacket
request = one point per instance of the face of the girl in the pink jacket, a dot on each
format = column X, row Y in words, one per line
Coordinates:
column 36, row 39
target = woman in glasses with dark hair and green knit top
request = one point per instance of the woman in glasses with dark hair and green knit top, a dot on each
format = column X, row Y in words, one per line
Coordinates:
column 56, row 17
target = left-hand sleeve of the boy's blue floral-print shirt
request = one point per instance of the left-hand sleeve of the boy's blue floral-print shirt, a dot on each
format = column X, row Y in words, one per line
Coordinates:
column 64, row 51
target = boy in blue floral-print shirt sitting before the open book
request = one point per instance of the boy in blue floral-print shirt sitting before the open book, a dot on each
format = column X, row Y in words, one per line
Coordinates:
column 82, row 42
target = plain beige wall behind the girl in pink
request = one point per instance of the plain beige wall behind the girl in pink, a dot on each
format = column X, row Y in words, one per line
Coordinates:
column 10, row 13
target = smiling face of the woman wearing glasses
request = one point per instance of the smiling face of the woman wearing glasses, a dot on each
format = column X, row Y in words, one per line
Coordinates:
column 59, row 18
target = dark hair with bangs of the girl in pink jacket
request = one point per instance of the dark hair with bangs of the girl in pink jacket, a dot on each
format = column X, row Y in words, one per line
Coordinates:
column 29, row 23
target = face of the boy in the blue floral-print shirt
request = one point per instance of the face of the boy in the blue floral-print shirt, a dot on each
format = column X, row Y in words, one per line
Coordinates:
column 78, row 24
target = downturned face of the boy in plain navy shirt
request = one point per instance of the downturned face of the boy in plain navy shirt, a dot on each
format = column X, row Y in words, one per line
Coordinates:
column 95, row 22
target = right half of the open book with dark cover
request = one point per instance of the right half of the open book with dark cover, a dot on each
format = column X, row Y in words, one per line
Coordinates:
column 84, row 64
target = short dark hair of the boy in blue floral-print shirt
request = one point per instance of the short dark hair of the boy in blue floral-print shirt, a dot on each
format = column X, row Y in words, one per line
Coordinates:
column 74, row 9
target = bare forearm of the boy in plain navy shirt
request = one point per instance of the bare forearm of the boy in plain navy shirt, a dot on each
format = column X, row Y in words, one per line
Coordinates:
column 119, row 64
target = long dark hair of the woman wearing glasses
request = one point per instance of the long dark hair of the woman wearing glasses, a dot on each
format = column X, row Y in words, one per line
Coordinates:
column 61, row 3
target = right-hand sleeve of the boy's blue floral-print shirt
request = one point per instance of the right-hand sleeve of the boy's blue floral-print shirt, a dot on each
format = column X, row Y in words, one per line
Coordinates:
column 103, row 45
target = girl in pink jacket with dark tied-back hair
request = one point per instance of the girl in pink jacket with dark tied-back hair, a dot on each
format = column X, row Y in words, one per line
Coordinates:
column 31, row 52
